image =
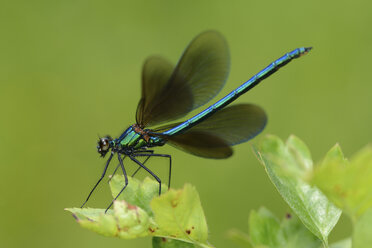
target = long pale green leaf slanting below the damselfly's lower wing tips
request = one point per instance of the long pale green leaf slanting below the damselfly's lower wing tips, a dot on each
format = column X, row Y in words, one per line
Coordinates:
column 287, row 165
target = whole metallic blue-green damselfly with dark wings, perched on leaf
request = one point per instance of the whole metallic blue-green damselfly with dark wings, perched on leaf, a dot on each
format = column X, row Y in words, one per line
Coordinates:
column 169, row 93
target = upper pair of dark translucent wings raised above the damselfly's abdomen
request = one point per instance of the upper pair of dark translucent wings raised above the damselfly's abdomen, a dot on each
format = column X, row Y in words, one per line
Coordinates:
column 199, row 75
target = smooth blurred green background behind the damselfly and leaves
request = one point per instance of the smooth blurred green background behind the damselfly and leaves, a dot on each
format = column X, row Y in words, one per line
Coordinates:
column 70, row 70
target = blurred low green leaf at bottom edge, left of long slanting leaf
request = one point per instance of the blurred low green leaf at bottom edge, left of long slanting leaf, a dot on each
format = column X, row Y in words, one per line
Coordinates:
column 266, row 231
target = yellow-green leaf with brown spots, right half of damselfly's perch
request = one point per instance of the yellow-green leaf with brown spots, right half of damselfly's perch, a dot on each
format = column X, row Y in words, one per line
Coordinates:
column 179, row 214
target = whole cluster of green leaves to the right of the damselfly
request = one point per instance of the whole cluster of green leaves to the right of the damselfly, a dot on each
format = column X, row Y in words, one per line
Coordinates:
column 317, row 195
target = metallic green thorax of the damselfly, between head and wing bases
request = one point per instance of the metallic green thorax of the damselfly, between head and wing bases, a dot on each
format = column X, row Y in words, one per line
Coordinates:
column 135, row 138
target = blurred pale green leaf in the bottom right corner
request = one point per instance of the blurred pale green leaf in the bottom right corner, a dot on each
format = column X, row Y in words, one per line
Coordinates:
column 362, row 236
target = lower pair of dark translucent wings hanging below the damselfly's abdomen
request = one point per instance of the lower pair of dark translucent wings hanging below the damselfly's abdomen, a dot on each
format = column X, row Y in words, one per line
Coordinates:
column 213, row 137
